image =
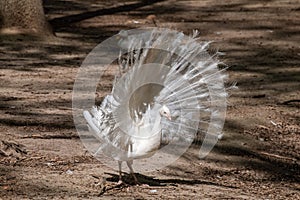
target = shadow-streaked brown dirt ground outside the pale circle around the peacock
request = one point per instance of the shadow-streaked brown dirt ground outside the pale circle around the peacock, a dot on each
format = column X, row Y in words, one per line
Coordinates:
column 42, row 156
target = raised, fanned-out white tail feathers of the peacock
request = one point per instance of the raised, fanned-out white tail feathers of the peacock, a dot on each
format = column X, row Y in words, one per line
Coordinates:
column 193, row 85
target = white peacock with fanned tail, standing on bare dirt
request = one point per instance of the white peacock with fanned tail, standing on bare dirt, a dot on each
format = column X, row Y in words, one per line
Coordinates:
column 166, row 87
